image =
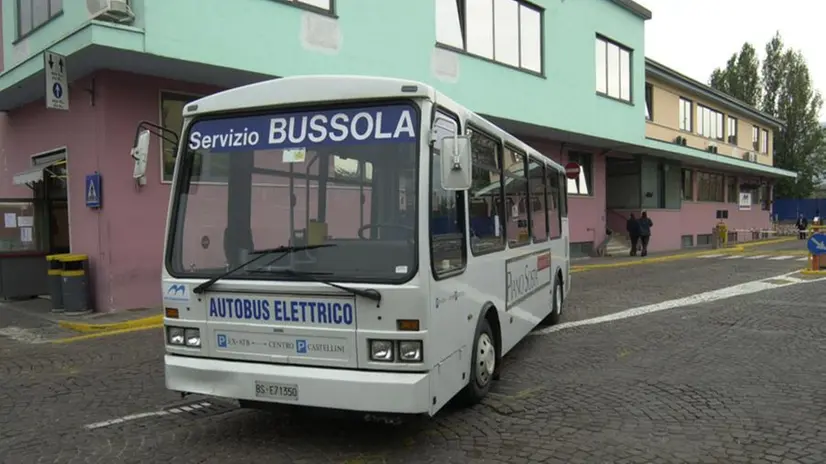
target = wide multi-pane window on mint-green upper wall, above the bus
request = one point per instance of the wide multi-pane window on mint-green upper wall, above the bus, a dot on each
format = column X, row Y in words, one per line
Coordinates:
column 505, row 31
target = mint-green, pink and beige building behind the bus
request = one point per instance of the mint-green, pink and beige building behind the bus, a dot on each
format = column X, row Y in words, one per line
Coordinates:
column 568, row 77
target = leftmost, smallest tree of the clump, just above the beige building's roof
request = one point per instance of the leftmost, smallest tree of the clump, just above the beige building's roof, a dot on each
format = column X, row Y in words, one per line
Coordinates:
column 741, row 76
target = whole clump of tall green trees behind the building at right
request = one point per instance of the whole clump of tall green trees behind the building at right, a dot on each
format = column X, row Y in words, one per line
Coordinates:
column 784, row 90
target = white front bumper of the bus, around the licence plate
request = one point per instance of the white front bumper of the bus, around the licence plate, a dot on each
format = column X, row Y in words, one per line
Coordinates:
column 400, row 393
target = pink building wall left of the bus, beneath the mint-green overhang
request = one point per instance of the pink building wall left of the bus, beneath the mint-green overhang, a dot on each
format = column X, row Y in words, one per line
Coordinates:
column 124, row 239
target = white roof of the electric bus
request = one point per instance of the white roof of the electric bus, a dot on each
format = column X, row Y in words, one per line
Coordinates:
column 297, row 90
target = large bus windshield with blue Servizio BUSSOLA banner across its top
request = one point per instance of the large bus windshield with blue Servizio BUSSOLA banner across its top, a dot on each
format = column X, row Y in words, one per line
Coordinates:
column 346, row 178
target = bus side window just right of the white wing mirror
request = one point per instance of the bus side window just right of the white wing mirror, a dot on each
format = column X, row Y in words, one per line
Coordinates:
column 486, row 196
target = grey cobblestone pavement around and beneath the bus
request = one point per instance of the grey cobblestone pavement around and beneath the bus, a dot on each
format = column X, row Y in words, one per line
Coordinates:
column 737, row 380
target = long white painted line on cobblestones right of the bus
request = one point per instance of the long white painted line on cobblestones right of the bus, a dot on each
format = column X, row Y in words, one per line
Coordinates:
column 706, row 297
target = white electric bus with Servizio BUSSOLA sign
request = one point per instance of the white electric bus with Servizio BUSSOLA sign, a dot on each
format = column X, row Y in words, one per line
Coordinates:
column 356, row 243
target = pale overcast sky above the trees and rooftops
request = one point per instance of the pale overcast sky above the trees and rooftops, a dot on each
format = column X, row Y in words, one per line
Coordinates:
column 695, row 36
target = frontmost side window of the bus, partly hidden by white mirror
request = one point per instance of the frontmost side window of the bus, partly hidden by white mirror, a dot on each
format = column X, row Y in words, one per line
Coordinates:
column 447, row 225
